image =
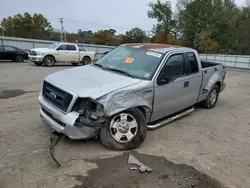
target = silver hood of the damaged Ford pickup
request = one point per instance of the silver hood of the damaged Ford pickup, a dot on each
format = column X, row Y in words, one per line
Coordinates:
column 90, row 81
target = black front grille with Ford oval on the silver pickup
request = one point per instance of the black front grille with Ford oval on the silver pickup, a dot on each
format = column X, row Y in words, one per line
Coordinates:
column 56, row 96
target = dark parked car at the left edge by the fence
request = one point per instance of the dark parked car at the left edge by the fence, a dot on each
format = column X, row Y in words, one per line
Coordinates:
column 13, row 53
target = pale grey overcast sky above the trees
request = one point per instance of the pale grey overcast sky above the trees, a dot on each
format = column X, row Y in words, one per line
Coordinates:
column 93, row 15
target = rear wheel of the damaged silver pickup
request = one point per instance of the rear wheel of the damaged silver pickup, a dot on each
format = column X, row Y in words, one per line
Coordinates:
column 212, row 98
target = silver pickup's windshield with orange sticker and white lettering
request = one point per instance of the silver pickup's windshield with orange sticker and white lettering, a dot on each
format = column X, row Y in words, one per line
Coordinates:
column 139, row 63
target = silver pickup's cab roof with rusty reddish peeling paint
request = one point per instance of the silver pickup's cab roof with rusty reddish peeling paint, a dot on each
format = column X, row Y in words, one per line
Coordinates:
column 162, row 48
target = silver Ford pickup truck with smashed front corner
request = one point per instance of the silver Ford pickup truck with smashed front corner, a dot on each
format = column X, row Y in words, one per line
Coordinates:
column 133, row 88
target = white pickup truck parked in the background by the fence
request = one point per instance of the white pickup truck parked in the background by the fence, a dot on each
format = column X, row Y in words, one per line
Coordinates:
column 61, row 52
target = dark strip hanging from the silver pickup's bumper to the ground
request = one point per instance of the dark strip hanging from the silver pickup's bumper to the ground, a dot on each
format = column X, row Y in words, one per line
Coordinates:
column 53, row 140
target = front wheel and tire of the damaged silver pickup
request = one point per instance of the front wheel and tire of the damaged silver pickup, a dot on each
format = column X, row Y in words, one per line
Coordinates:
column 108, row 133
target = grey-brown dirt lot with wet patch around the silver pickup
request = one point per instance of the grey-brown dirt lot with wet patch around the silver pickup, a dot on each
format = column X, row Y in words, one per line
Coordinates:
column 191, row 152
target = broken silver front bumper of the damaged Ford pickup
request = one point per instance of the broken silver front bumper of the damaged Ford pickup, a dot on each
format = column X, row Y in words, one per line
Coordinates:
column 64, row 122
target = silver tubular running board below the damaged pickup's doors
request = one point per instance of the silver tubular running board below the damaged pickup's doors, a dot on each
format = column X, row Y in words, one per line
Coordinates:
column 170, row 119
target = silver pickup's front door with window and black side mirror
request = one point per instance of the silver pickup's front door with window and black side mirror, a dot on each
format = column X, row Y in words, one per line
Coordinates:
column 171, row 87
